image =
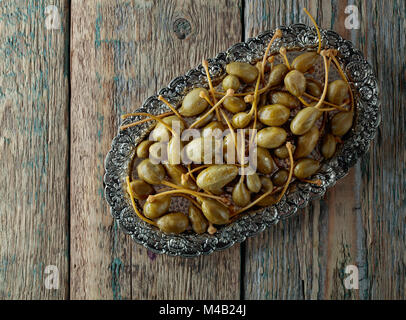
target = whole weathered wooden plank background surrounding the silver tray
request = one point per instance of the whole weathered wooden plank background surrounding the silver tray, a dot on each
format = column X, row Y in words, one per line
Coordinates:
column 61, row 94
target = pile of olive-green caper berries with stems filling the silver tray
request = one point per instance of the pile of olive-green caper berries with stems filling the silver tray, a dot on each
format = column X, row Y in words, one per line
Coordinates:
column 296, row 115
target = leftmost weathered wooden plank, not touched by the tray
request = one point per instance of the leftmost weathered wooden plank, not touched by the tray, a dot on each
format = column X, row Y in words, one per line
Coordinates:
column 34, row 147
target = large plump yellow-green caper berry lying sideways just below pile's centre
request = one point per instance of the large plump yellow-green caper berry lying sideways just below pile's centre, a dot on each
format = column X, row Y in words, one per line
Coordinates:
column 215, row 177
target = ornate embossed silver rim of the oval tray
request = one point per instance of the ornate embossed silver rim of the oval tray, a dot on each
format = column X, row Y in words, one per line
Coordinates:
column 296, row 36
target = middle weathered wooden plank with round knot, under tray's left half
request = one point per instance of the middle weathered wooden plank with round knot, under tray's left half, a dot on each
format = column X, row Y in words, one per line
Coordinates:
column 122, row 53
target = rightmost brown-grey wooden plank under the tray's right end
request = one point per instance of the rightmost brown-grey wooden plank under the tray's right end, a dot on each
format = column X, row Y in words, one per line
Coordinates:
column 361, row 221
